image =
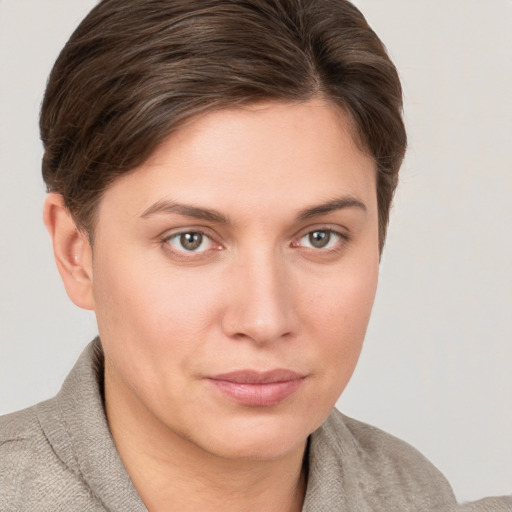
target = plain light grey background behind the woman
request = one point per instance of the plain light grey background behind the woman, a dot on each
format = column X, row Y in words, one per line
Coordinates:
column 436, row 369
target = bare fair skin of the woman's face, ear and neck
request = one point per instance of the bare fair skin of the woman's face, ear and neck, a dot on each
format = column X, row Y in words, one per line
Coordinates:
column 255, row 294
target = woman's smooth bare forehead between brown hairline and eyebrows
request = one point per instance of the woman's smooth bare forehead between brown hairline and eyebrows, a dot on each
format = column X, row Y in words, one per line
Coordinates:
column 259, row 156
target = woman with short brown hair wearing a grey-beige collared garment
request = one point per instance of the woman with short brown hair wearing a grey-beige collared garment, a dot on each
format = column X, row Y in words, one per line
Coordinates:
column 220, row 176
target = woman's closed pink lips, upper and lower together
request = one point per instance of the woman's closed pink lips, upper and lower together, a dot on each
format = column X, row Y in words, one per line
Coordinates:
column 258, row 389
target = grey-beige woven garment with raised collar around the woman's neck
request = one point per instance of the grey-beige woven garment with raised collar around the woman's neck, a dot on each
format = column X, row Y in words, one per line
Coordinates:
column 59, row 456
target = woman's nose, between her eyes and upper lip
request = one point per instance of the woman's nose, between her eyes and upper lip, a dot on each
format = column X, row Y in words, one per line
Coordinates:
column 260, row 307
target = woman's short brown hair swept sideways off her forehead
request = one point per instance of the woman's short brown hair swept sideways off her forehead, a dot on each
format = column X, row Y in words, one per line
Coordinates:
column 135, row 69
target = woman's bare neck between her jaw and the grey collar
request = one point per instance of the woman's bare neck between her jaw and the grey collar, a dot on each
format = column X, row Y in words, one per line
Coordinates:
column 173, row 473
